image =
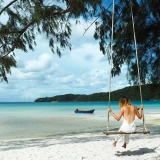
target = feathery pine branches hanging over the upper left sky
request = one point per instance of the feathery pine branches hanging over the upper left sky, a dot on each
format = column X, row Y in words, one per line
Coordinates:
column 28, row 18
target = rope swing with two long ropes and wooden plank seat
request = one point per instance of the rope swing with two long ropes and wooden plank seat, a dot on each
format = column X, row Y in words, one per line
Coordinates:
column 111, row 65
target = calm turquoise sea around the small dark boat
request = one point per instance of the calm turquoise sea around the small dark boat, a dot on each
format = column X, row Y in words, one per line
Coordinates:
column 43, row 120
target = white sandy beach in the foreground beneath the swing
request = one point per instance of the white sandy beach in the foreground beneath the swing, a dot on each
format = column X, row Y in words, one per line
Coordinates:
column 82, row 147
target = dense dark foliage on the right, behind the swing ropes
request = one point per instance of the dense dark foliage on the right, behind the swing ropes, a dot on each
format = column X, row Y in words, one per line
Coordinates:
column 146, row 14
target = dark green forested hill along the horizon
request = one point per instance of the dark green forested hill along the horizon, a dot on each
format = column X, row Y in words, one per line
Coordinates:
column 149, row 92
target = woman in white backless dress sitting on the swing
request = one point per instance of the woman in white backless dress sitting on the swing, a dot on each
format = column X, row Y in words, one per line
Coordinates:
column 128, row 112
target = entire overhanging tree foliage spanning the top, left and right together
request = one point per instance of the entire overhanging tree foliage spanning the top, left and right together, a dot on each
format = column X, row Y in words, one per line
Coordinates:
column 28, row 18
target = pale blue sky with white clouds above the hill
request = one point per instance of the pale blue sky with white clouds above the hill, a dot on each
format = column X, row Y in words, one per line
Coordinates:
column 40, row 73
